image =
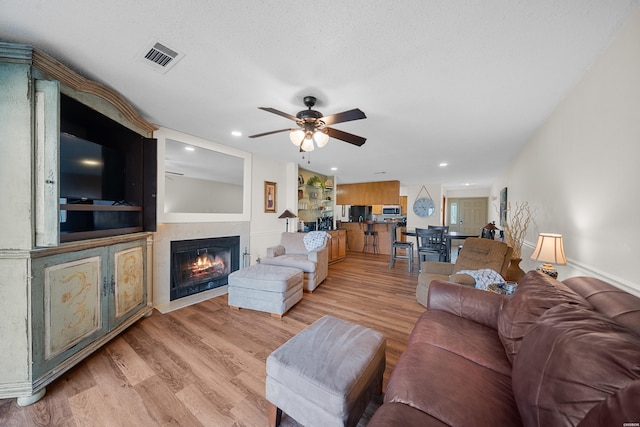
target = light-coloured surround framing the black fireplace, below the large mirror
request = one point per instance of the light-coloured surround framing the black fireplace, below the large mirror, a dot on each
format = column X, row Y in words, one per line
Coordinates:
column 169, row 232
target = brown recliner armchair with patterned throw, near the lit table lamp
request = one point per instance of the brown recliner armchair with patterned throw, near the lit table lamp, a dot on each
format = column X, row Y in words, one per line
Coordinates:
column 476, row 253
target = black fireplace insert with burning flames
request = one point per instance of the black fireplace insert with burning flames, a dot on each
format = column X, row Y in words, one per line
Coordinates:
column 202, row 264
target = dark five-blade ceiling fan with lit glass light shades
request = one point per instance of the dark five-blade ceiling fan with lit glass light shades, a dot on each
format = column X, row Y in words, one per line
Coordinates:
column 314, row 127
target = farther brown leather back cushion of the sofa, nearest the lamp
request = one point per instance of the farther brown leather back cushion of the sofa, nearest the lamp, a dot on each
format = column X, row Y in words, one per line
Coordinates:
column 535, row 294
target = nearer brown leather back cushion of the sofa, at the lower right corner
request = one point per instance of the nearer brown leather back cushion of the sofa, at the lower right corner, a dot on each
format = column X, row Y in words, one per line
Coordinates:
column 572, row 360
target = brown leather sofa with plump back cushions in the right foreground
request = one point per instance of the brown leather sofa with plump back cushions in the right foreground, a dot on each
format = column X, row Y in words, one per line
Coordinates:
column 552, row 354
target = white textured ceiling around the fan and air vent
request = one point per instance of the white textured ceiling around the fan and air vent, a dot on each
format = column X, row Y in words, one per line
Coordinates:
column 463, row 82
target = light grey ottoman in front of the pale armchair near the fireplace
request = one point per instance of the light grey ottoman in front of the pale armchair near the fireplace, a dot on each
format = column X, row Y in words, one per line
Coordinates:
column 269, row 288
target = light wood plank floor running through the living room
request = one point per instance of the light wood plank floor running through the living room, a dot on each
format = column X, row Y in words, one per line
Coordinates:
column 204, row 365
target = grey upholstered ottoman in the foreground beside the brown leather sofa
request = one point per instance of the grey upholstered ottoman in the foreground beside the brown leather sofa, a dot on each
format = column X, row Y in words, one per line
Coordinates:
column 326, row 375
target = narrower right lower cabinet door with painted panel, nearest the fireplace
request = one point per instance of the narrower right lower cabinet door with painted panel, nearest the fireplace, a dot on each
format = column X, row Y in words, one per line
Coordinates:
column 127, row 278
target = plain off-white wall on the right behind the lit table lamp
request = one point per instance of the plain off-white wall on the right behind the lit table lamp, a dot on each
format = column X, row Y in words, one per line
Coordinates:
column 580, row 171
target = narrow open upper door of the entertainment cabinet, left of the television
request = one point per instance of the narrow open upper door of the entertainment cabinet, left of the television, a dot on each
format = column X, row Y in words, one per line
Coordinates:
column 47, row 186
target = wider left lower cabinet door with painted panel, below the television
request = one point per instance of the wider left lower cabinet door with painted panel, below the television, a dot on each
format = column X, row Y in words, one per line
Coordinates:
column 68, row 313
